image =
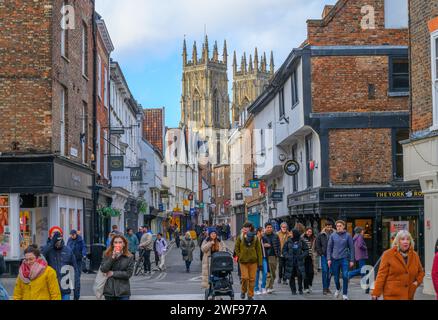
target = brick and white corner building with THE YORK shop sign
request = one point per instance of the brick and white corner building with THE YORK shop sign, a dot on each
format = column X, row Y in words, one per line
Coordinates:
column 339, row 108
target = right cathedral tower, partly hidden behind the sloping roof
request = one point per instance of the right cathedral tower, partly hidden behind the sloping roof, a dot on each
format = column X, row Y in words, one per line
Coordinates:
column 250, row 81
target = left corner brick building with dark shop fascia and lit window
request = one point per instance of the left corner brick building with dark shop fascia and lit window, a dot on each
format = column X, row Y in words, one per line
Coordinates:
column 46, row 85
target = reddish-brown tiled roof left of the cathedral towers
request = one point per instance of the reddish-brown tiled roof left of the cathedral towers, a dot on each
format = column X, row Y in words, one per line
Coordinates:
column 154, row 127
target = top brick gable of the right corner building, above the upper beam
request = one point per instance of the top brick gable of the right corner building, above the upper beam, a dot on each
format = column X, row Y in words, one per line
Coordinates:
column 342, row 26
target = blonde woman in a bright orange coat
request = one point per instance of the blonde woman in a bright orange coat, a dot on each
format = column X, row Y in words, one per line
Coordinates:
column 400, row 272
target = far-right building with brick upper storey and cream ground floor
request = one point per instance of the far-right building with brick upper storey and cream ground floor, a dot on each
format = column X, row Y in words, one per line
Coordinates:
column 420, row 151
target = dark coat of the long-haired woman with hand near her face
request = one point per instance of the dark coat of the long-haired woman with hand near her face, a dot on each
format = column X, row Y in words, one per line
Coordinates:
column 122, row 268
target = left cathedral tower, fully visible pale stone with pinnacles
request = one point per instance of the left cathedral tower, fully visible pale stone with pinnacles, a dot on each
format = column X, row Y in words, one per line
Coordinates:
column 205, row 102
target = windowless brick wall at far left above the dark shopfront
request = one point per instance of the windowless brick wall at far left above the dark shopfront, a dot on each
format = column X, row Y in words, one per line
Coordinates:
column 25, row 76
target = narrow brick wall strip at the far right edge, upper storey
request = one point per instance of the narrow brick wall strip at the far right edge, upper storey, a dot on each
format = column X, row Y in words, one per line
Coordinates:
column 420, row 13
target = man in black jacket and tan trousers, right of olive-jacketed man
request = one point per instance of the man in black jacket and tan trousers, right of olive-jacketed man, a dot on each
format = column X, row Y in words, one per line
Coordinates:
column 272, row 248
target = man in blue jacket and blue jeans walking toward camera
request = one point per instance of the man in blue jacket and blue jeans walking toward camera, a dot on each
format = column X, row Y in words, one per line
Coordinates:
column 340, row 256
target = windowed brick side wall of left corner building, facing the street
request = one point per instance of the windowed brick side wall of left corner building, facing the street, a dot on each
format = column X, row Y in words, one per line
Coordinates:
column 67, row 73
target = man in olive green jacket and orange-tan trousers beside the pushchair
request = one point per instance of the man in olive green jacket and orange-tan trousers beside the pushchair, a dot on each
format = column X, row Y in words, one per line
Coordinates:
column 249, row 252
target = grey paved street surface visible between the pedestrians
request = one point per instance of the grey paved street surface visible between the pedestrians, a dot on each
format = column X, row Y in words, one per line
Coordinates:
column 175, row 284
